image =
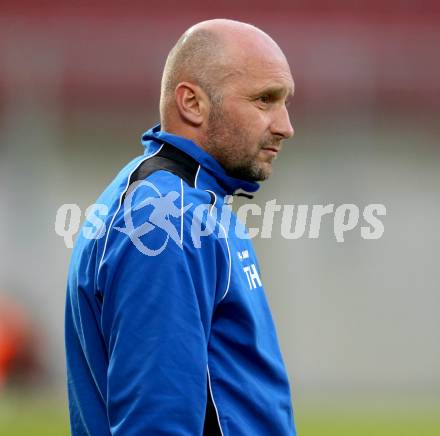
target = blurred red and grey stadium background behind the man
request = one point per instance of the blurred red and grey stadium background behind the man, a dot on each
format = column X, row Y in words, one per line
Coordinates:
column 358, row 321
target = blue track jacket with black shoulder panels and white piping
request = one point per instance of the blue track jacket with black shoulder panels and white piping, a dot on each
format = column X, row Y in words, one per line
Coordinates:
column 167, row 329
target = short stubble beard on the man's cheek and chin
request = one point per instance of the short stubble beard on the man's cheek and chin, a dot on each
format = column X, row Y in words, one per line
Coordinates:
column 229, row 144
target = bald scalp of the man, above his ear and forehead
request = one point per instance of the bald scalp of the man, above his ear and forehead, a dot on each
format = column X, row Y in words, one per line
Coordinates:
column 207, row 55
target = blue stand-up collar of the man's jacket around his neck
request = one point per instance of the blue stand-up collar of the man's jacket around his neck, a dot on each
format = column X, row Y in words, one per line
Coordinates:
column 209, row 163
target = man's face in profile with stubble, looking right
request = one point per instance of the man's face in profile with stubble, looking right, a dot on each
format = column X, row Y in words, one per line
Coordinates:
column 245, row 130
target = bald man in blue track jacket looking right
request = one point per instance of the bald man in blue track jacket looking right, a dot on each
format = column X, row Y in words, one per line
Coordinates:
column 168, row 331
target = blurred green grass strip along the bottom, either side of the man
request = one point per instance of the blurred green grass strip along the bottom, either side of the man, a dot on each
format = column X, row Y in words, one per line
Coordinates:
column 46, row 415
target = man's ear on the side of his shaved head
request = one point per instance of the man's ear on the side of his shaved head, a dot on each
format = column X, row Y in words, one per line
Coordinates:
column 192, row 103
